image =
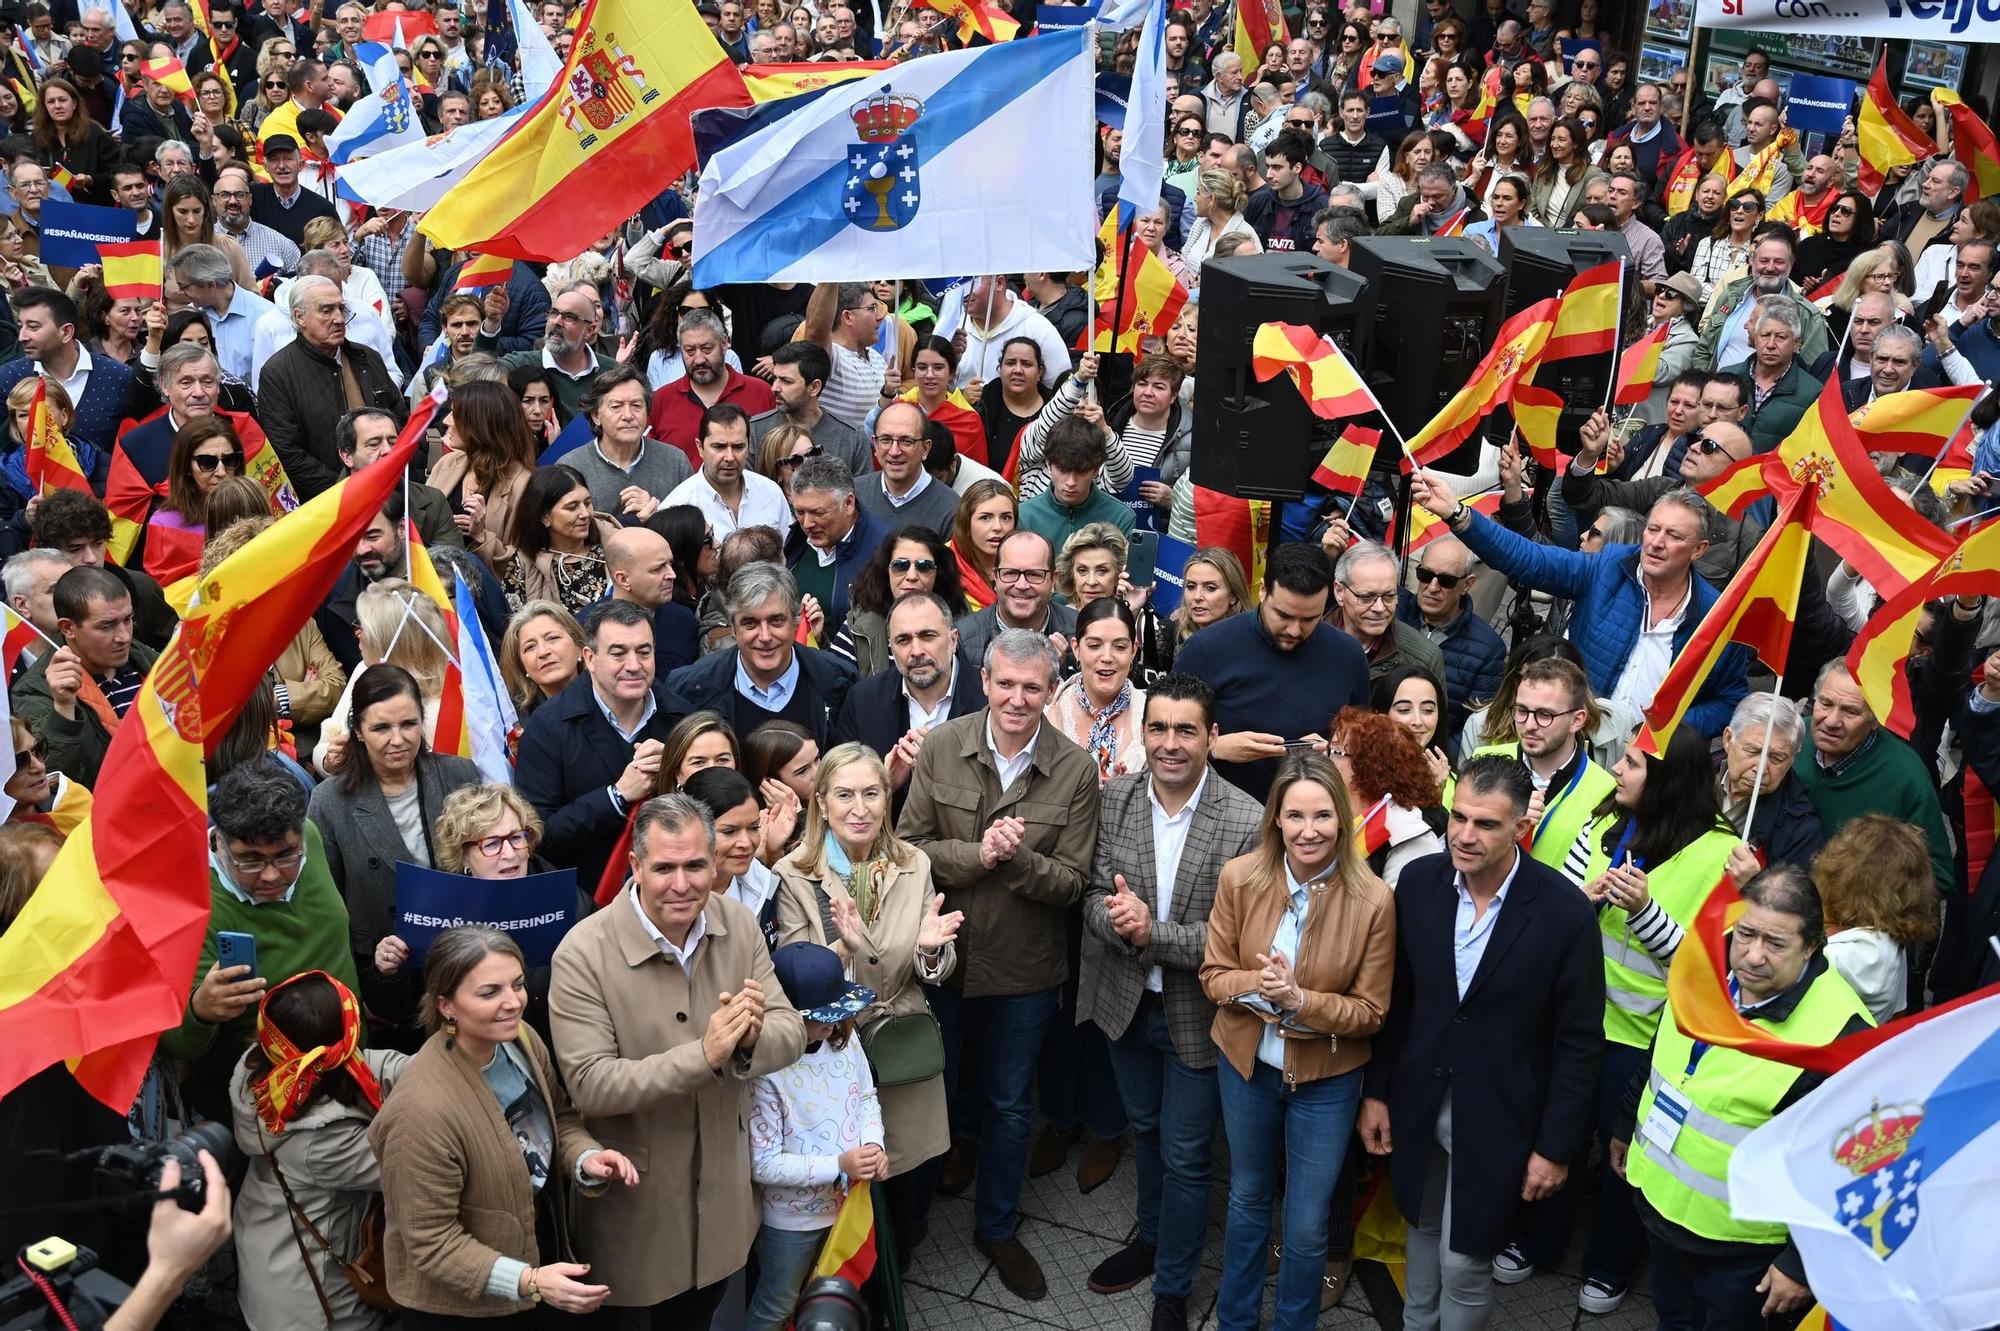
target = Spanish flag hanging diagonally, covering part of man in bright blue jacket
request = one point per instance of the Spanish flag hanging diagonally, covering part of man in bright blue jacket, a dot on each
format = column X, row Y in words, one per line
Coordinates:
column 1755, row 611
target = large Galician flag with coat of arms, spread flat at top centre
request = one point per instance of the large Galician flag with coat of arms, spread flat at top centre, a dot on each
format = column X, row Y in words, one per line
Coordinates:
column 969, row 161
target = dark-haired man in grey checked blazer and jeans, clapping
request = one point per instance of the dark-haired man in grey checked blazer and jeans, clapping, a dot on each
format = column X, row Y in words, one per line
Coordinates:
column 1163, row 840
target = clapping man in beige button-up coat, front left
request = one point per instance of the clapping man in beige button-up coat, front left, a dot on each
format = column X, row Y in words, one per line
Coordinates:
column 665, row 1008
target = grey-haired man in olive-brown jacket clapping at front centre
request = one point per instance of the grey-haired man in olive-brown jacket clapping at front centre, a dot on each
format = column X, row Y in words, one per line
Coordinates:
column 1007, row 808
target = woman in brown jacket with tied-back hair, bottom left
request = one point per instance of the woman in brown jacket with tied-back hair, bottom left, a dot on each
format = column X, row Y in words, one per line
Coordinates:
column 479, row 1202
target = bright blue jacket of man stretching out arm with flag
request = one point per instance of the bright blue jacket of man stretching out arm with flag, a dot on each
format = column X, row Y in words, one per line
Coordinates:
column 1609, row 613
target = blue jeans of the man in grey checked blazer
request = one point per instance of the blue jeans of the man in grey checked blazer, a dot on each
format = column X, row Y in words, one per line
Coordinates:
column 1173, row 1112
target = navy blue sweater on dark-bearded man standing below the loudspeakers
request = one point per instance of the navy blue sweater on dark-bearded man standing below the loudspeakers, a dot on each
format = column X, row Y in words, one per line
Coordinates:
column 1261, row 688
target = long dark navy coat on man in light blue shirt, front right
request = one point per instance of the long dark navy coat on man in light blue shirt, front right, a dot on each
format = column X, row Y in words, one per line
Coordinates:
column 1525, row 1044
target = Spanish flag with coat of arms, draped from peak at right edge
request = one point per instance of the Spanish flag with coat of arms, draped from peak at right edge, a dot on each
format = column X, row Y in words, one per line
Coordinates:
column 1857, row 513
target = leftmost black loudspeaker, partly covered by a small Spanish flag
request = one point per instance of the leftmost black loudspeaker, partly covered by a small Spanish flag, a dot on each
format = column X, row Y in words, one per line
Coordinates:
column 1255, row 441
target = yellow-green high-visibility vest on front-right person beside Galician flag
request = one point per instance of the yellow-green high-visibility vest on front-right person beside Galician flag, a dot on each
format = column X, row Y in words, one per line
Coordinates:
column 1727, row 1094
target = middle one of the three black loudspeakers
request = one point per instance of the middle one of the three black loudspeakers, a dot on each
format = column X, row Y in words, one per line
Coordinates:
column 1437, row 313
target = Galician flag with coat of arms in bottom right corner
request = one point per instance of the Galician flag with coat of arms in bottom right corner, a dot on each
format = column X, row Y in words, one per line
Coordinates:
column 1887, row 1178
